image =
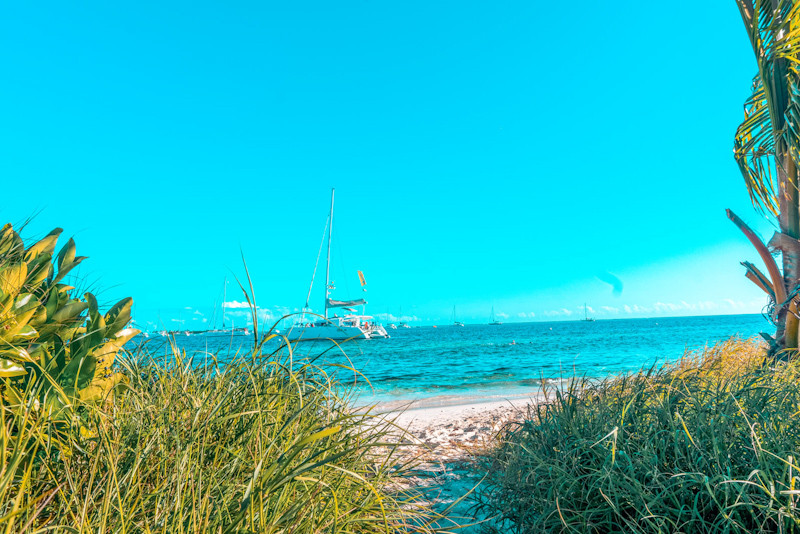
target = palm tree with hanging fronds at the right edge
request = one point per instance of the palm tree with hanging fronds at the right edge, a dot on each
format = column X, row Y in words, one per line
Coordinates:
column 767, row 150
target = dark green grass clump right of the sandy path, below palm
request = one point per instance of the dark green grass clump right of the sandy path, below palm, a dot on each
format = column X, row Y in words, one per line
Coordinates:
column 710, row 444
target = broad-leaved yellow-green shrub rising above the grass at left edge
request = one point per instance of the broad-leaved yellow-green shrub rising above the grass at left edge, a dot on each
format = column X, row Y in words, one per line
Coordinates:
column 53, row 346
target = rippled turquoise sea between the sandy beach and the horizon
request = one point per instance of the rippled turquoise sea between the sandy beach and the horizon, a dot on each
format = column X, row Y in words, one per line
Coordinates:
column 451, row 364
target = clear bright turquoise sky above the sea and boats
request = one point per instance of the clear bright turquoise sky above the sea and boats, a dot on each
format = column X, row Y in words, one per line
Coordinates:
column 483, row 153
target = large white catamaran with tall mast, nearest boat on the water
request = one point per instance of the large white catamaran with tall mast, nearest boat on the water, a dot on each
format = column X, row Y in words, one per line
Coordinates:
column 334, row 327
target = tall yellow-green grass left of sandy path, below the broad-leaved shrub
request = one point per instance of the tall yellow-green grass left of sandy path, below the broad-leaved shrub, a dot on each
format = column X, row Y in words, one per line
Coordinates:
column 190, row 445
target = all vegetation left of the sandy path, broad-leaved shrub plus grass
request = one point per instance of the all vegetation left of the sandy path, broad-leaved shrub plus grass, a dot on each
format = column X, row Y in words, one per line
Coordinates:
column 176, row 442
